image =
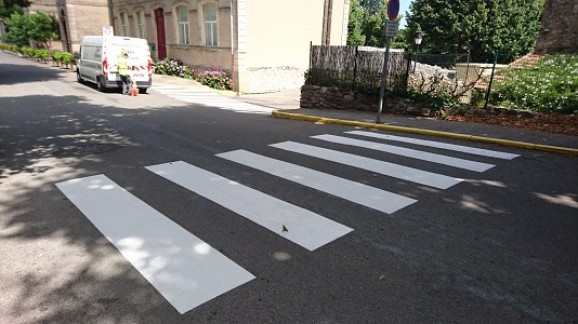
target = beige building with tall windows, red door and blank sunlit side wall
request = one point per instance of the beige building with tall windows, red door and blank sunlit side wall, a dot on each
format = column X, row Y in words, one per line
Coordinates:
column 264, row 44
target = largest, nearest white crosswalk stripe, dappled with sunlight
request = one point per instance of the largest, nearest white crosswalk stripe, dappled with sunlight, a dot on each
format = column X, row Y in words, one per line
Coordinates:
column 184, row 269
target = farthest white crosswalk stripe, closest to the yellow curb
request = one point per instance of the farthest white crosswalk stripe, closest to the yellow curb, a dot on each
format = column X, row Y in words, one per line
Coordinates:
column 442, row 145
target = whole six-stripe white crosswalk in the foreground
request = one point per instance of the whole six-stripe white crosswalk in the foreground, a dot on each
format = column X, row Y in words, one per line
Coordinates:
column 189, row 272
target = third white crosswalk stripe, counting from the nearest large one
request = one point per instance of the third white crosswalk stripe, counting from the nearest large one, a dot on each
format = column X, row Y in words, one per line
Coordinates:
column 378, row 199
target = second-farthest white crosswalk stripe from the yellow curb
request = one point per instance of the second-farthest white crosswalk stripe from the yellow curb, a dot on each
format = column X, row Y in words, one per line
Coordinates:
column 415, row 154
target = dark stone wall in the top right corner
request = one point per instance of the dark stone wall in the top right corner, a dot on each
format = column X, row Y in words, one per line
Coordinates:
column 559, row 32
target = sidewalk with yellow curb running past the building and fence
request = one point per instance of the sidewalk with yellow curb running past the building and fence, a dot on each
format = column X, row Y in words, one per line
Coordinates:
column 287, row 105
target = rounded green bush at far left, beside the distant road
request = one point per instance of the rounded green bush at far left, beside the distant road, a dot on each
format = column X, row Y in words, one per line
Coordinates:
column 38, row 27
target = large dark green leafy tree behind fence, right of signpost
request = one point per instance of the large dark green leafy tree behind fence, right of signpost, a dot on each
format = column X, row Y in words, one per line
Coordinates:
column 479, row 27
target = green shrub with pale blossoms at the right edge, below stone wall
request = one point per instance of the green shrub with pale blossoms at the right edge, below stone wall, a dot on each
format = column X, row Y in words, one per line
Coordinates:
column 550, row 86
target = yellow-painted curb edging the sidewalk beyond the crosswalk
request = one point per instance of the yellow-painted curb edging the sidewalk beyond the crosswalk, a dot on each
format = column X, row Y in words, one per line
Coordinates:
column 420, row 131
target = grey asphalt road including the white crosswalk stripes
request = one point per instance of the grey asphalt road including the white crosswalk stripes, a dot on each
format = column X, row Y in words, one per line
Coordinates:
column 493, row 245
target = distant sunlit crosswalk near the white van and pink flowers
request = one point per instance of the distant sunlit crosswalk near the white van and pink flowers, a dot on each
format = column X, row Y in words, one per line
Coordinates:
column 212, row 99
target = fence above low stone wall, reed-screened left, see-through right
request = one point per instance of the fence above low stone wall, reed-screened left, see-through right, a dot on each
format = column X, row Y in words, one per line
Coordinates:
column 359, row 69
